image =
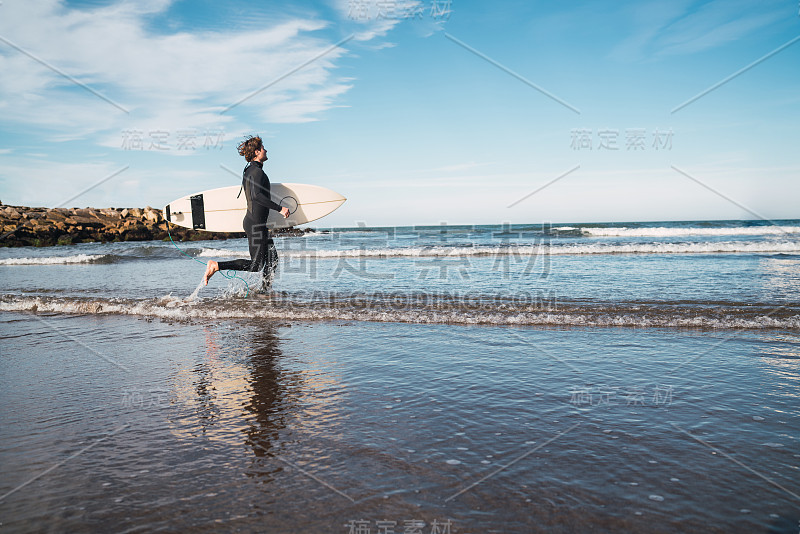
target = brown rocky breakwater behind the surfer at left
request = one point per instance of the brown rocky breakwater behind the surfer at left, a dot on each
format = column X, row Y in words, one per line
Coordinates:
column 23, row 226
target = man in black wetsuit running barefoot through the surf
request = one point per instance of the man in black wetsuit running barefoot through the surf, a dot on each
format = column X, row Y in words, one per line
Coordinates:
column 263, row 256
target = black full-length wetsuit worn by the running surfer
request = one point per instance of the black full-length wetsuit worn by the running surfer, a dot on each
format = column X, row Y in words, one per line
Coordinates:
column 263, row 256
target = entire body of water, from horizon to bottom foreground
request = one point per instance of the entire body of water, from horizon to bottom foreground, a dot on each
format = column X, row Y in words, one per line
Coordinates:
column 638, row 377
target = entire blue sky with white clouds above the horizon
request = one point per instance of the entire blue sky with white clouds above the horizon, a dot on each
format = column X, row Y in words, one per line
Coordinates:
column 418, row 112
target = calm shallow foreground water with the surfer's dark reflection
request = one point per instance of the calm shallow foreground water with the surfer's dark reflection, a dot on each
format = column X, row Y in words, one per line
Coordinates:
column 312, row 427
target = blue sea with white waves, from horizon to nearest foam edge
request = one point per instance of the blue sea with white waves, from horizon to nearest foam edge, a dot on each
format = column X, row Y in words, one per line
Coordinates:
column 731, row 275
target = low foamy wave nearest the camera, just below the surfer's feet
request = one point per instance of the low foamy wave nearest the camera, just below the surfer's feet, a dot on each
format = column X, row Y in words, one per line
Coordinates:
column 522, row 309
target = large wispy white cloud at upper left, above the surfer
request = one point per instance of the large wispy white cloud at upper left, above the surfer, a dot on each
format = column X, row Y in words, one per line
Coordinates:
column 165, row 81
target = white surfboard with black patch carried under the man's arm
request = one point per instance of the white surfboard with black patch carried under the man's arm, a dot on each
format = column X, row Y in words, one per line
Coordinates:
column 223, row 209
